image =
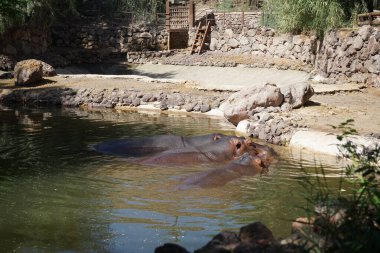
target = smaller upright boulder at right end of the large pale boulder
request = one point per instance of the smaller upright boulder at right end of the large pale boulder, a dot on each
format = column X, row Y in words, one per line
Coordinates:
column 296, row 95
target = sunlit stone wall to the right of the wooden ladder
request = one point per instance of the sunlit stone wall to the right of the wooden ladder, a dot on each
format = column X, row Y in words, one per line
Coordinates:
column 236, row 33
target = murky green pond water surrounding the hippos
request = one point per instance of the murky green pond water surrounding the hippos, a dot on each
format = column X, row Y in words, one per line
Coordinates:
column 58, row 195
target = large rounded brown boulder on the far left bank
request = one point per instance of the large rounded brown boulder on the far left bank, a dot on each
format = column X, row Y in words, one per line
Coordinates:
column 28, row 72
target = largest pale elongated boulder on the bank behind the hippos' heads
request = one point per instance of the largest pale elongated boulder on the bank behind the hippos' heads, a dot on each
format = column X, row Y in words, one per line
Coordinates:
column 239, row 104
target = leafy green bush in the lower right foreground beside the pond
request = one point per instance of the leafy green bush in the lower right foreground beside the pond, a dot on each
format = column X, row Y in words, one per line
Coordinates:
column 347, row 221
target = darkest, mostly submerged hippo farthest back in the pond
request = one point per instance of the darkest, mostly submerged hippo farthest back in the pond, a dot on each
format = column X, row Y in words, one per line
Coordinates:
column 149, row 145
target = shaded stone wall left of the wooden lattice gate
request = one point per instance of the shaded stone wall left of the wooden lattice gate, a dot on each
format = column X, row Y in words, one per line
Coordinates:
column 86, row 40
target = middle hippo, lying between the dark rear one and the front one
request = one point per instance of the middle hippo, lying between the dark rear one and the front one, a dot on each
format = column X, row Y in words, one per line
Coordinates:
column 223, row 149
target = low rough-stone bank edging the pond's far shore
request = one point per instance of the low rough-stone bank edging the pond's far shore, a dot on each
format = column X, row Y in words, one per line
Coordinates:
column 272, row 124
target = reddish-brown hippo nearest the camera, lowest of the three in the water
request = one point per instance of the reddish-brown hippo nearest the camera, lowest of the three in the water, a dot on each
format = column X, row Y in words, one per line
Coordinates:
column 245, row 165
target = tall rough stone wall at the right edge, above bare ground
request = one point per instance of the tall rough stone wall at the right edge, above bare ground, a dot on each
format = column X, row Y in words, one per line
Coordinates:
column 350, row 55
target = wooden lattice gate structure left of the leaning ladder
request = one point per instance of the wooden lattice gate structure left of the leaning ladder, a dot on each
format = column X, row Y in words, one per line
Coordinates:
column 179, row 19
